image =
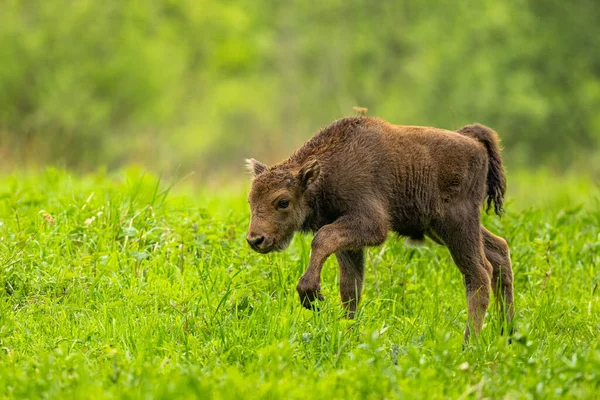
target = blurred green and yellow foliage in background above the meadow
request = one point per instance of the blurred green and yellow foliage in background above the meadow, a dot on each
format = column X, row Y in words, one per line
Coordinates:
column 202, row 84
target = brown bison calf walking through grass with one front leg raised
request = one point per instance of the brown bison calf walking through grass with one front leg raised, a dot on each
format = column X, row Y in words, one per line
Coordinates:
column 362, row 177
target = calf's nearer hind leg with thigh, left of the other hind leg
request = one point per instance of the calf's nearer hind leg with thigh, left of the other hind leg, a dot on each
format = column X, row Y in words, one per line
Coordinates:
column 462, row 236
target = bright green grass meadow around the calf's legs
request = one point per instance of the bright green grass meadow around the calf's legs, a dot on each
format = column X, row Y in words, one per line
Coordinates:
column 131, row 291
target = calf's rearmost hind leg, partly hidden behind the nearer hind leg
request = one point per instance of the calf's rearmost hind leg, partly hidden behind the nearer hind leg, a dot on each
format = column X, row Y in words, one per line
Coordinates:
column 498, row 254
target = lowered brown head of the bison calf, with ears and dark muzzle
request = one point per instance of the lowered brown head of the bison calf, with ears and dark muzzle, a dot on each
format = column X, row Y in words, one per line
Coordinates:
column 278, row 203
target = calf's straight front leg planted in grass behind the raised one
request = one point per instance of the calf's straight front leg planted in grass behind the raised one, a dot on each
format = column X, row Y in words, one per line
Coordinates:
column 352, row 269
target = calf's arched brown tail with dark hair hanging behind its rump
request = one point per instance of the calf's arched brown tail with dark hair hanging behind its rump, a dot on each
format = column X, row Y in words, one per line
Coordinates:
column 496, row 180
